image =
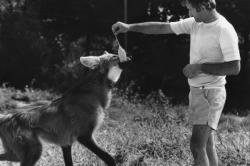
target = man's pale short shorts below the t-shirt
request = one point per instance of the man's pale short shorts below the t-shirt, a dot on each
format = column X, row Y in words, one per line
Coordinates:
column 206, row 105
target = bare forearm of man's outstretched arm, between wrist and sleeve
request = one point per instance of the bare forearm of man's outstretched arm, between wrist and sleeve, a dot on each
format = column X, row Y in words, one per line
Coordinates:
column 151, row 28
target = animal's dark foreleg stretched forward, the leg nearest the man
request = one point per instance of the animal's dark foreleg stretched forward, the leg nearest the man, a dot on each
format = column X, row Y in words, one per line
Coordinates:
column 89, row 142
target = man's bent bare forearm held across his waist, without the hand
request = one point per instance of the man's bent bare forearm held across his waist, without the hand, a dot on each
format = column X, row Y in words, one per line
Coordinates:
column 226, row 68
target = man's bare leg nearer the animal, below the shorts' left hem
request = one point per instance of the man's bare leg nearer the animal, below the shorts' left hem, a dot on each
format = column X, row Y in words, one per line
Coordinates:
column 199, row 139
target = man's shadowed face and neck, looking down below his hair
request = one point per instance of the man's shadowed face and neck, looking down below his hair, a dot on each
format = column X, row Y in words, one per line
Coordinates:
column 199, row 16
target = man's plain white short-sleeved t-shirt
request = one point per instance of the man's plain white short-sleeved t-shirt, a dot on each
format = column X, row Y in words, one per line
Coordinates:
column 213, row 42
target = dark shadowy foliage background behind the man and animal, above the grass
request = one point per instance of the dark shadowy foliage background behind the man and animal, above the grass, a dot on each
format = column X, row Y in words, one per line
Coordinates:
column 41, row 42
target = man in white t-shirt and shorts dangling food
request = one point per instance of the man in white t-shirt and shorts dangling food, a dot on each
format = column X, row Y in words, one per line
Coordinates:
column 214, row 53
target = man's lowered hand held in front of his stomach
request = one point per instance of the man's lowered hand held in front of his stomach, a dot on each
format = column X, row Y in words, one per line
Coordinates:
column 192, row 70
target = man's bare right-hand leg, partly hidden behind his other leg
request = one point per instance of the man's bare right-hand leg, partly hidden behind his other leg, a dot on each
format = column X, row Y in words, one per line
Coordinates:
column 211, row 150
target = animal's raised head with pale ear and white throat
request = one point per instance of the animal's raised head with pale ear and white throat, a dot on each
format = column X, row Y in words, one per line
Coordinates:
column 106, row 63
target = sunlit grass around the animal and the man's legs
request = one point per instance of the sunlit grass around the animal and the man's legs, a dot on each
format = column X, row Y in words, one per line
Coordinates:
column 139, row 133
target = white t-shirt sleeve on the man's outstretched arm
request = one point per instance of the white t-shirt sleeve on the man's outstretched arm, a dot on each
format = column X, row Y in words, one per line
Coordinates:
column 182, row 26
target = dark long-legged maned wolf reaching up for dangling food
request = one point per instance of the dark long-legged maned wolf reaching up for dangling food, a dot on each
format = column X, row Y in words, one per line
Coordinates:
column 74, row 116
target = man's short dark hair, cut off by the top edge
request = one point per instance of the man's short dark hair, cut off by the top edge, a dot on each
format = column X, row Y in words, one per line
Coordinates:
column 208, row 4
